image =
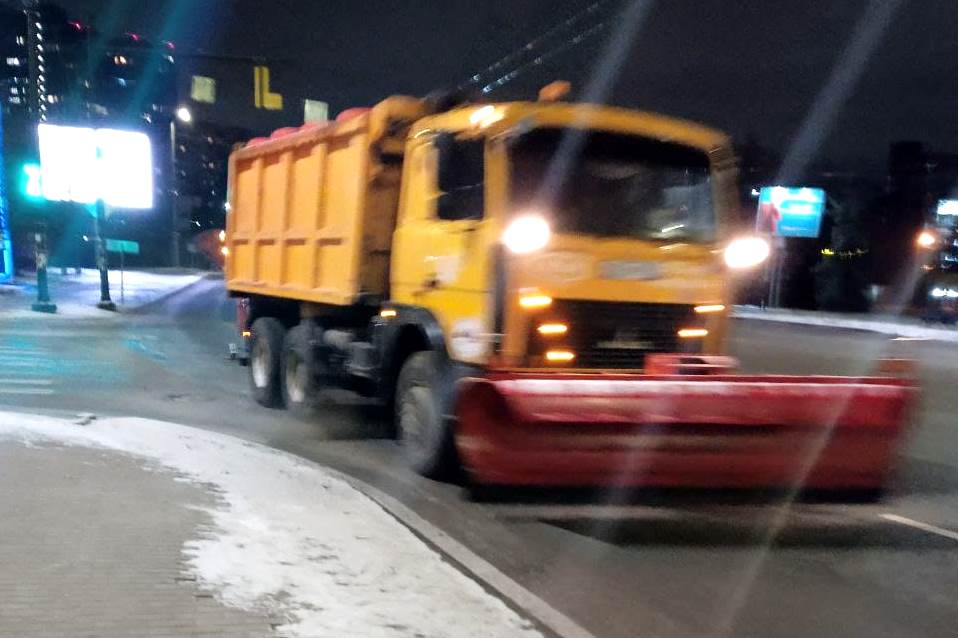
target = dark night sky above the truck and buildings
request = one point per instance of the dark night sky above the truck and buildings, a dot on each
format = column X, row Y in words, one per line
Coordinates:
column 750, row 67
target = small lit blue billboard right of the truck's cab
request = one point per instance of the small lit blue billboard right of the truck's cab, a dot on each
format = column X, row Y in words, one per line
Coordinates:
column 790, row 212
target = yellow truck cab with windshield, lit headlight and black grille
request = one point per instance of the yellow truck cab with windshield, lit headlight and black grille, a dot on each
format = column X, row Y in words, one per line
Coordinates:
column 565, row 237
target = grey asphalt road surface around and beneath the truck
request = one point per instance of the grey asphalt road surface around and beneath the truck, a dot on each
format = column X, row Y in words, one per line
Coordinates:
column 664, row 565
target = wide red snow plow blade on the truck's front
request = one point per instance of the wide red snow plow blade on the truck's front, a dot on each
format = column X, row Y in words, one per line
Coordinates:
column 713, row 431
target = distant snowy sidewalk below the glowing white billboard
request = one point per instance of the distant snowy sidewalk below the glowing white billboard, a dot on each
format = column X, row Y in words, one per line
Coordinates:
column 76, row 295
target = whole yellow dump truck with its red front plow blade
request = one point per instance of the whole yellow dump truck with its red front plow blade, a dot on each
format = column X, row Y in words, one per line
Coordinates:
column 535, row 290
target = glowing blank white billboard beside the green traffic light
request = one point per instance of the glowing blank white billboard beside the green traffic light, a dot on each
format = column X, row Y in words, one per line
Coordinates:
column 84, row 165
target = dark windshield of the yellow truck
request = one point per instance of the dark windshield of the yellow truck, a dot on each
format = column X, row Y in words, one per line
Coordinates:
column 614, row 185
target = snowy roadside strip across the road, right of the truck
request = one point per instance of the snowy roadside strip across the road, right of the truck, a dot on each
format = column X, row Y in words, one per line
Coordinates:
column 885, row 324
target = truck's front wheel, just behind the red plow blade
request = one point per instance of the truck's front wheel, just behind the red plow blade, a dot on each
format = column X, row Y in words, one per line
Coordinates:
column 424, row 436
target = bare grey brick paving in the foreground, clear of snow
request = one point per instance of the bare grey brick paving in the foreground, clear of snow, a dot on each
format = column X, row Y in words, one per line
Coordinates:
column 90, row 545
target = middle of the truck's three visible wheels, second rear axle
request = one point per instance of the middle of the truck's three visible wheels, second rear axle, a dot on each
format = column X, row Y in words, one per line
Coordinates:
column 302, row 372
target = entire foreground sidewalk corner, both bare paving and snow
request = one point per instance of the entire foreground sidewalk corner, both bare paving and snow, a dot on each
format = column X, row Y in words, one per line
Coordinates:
column 129, row 527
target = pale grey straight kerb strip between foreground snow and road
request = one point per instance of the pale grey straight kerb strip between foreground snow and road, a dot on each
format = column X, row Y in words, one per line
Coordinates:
column 480, row 568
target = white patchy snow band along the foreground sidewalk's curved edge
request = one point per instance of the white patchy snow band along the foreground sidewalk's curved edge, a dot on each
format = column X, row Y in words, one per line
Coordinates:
column 294, row 540
